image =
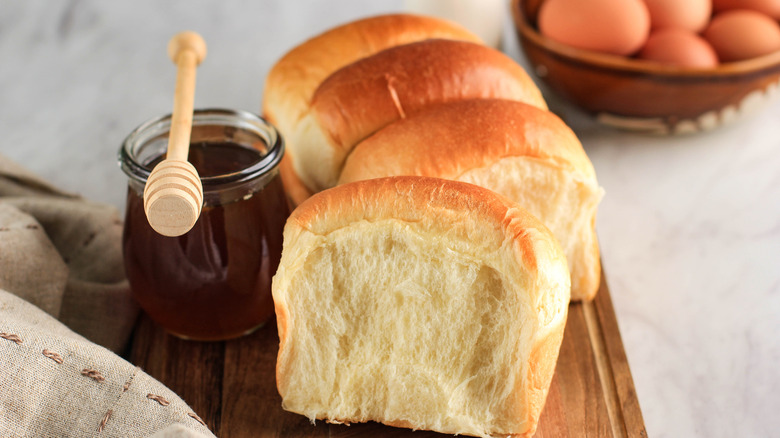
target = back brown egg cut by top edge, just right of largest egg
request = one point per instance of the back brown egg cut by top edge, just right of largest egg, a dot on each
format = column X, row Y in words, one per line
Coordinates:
column 692, row 15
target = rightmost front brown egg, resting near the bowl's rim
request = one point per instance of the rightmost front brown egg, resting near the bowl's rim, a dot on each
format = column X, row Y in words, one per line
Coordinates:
column 742, row 34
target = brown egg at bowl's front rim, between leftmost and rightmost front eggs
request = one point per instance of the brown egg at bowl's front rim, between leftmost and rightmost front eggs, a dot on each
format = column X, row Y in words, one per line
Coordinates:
column 679, row 47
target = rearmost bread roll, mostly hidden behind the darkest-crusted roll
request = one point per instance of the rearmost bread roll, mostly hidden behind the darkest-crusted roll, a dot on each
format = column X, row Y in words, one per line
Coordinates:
column 291, row 82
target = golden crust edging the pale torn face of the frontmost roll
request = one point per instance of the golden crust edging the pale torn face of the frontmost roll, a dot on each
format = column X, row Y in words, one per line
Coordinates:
column 452, row 209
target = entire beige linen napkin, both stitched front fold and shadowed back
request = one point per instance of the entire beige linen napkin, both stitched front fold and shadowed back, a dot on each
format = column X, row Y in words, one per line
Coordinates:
column 62, row 254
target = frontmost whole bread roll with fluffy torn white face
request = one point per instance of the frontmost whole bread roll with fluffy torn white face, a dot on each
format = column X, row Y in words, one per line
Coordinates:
column 422, row 303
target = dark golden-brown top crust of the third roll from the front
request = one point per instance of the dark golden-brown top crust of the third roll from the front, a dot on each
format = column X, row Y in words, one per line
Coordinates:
column 373, row 92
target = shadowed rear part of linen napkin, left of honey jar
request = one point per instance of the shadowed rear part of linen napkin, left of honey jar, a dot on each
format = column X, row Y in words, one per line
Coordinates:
column 63, row 254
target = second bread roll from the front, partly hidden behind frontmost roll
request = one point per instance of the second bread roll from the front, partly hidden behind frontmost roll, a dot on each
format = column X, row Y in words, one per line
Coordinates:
column 522, row 152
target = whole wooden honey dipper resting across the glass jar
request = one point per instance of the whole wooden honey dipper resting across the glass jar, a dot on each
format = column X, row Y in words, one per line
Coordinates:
column 173, row 195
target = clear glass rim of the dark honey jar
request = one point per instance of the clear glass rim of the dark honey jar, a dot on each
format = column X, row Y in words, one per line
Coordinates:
column 241, row 119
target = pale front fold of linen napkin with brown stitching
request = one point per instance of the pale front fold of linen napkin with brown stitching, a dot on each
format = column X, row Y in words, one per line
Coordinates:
column 55, row 383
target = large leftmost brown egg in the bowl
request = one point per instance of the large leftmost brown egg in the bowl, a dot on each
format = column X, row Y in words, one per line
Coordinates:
column 619, row 27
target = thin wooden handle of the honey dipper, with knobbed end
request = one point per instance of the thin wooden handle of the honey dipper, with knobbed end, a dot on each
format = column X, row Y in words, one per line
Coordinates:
column 187, row 50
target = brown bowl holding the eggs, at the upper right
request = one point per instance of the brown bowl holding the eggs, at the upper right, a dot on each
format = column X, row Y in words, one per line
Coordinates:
column 641, row 95
